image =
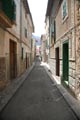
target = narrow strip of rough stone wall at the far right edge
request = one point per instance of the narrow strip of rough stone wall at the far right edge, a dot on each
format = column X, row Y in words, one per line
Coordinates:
column 78, row 49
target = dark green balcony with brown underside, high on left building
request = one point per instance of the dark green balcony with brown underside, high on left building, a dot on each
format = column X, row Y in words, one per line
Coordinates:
column 7, row 13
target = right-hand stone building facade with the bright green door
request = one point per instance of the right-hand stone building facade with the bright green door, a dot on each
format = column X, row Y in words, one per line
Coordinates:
column 64, row 17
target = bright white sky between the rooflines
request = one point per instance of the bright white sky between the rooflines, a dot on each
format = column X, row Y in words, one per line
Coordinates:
column 38, row 11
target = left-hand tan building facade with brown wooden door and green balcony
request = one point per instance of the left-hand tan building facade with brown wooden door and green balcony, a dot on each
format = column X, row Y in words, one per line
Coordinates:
column 14, row 39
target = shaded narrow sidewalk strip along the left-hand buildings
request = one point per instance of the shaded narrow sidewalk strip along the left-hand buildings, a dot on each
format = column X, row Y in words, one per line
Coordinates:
column 9, row 92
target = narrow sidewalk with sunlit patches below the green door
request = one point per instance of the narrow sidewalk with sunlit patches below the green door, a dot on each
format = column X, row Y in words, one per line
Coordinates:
column 72, row 102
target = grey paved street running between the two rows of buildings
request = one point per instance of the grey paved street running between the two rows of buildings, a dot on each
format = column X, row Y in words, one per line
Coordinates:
column 37, row 99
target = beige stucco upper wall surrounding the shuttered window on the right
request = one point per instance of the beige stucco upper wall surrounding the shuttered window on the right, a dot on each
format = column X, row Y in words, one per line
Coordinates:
column 62, row 26
